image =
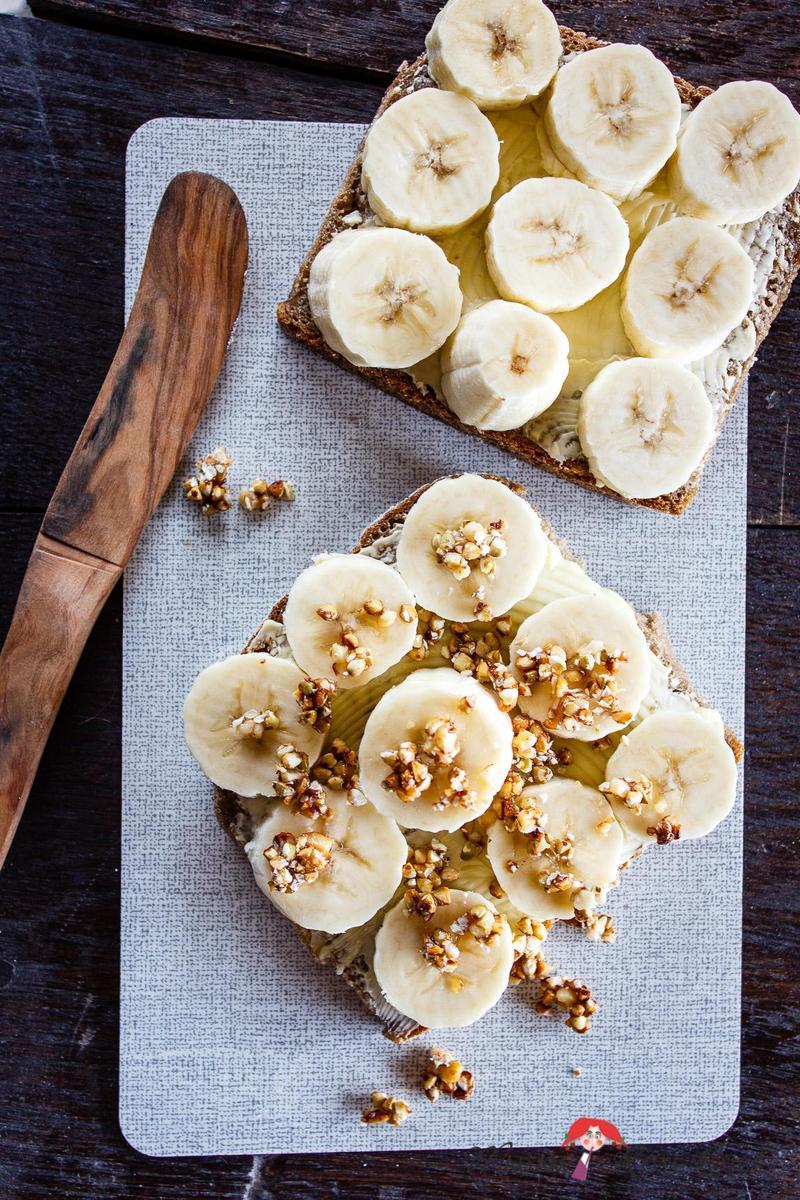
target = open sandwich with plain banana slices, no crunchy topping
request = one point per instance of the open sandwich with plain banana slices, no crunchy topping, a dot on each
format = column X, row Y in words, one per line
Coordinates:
column 555, row 244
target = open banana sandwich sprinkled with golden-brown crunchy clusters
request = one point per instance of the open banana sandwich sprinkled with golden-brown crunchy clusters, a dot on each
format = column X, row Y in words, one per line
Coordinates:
column 440, row 747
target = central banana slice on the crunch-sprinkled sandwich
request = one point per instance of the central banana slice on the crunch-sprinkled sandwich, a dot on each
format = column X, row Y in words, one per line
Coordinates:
column 435, row 751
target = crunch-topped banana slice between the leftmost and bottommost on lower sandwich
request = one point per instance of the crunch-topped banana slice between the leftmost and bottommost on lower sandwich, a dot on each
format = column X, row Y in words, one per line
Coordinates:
column 336, row 879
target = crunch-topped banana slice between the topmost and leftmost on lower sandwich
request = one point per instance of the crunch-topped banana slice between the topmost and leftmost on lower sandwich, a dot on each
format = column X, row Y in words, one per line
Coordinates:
column 350, row 619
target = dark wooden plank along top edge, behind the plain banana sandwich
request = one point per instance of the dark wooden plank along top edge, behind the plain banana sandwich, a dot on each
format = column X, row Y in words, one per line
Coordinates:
column 708, row 43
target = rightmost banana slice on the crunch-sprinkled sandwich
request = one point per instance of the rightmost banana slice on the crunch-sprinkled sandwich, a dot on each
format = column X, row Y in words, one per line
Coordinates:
column 672, row 777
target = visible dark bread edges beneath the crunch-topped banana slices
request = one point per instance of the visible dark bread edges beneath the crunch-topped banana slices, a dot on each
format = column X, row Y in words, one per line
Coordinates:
column 238, row 823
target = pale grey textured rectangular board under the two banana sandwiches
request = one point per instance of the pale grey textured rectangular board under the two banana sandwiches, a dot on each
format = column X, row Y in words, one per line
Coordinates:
column 233, row 1040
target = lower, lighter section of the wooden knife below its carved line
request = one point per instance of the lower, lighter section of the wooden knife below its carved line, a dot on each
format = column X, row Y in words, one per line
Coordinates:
column 62, row 595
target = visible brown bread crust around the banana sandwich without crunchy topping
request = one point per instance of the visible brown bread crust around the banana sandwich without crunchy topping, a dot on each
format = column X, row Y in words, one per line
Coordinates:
column 294, row 314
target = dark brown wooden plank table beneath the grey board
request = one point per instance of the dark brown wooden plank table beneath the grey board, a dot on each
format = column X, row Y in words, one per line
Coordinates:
column 75, row 83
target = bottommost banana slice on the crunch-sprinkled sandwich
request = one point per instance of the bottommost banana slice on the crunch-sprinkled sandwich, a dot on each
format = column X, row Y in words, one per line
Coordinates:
column 478, row 969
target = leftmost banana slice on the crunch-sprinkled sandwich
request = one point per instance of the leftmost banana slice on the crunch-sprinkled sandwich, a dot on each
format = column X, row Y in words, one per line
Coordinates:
column 237, row 716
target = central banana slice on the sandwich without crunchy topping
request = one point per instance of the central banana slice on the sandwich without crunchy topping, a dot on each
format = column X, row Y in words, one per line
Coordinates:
column 555, row 244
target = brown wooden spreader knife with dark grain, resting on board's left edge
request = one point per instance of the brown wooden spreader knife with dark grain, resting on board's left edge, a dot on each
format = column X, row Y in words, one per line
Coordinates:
column 163, row 375
